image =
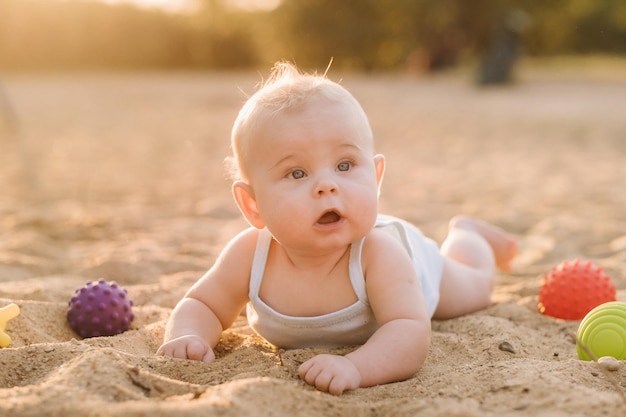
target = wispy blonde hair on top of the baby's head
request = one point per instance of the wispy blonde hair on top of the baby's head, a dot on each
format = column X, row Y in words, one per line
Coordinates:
column 285, row 89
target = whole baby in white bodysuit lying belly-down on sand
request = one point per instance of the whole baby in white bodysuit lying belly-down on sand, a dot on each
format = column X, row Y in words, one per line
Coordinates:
column 320, row 267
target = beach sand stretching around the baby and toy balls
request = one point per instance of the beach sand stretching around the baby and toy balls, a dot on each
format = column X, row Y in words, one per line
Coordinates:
column 120, row 177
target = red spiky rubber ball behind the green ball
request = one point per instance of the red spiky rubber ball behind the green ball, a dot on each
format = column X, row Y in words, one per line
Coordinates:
column 574, row 288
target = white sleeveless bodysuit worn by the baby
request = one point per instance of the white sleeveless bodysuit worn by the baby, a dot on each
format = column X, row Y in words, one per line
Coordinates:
column 354, row 324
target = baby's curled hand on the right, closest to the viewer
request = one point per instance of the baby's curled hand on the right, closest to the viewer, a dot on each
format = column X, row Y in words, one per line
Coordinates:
column 330, row 373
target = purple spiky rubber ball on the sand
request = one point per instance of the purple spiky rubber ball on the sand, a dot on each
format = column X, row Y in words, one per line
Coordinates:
column 100, row 309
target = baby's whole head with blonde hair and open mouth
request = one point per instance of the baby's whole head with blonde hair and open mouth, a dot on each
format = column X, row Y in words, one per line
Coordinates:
column 304, row 161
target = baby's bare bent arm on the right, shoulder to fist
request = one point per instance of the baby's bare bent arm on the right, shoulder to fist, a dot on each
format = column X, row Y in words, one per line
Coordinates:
column 400, row 345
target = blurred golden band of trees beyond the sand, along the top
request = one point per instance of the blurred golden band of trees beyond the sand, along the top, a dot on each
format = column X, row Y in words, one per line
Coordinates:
column 370, row 35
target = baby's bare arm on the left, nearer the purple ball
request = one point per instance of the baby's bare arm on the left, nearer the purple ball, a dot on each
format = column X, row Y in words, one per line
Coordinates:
column 212, row 304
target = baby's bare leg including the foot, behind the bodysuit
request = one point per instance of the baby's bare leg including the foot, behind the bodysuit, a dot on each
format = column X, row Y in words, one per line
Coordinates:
column 472, row 251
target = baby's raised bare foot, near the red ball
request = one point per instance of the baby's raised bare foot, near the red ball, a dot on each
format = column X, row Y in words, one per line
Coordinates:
column 504, row 245
